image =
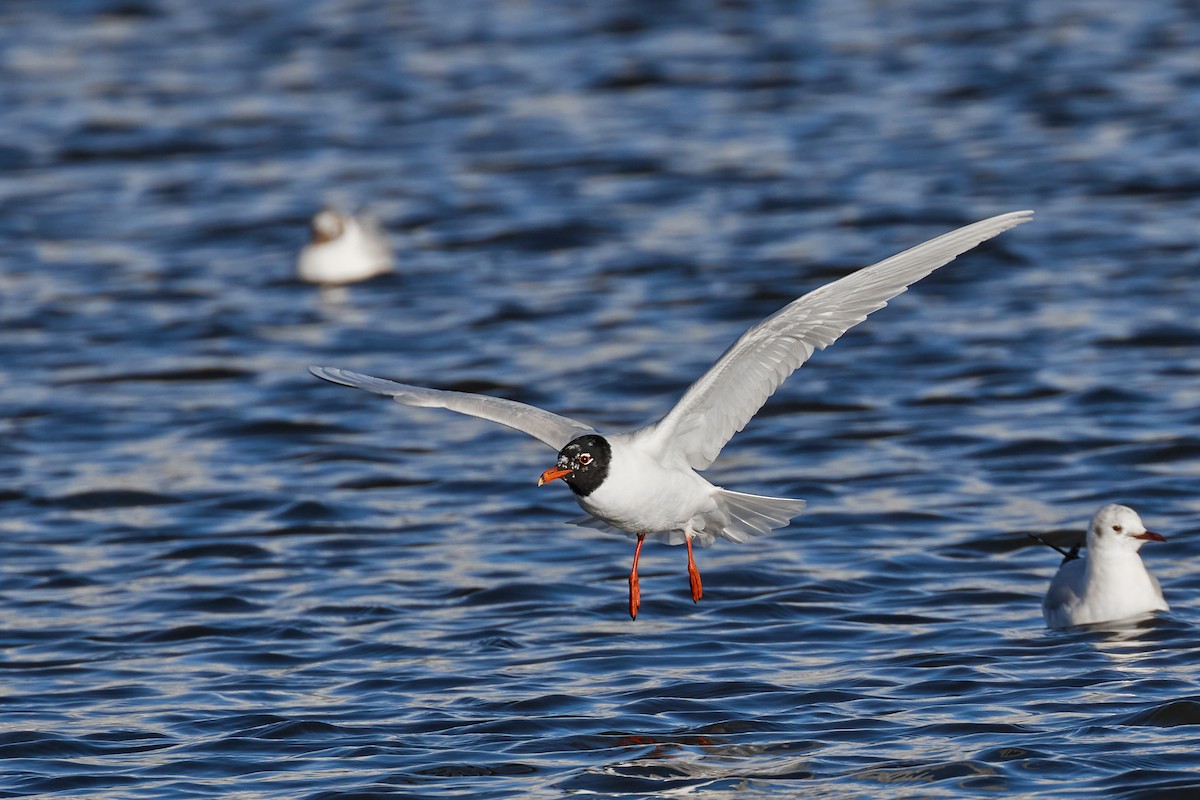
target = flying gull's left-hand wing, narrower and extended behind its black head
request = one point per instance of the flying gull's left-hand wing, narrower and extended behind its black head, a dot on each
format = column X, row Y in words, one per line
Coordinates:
column 555, row 431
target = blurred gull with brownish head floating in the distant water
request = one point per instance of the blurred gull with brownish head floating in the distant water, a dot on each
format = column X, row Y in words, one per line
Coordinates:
column 344, row 249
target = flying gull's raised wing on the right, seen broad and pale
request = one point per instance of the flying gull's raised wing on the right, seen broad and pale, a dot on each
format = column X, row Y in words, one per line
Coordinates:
column 733, row 392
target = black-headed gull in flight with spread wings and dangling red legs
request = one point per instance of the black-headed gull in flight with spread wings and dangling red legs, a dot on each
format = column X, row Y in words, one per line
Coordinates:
column 646, row 483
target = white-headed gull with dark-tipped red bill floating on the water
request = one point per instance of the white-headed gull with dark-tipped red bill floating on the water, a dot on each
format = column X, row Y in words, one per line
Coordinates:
column 1112, row 584
